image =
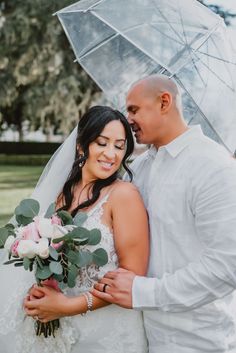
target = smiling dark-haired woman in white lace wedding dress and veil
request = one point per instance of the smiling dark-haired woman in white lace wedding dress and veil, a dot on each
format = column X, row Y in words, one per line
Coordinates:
column 102, row 143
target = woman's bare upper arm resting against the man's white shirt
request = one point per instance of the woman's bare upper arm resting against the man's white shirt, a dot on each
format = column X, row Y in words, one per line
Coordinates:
column 130, row 227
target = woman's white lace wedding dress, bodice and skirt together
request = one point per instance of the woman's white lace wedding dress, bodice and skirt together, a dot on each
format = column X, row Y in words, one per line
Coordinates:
column 106, row 330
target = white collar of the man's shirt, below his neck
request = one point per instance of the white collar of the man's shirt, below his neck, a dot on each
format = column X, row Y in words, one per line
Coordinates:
column 181, row 142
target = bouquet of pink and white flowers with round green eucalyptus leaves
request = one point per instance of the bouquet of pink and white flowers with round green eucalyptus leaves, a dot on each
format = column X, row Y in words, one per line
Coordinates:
column 53, row 246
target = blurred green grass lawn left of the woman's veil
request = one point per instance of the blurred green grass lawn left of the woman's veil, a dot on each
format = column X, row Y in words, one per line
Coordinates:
column 16, row 183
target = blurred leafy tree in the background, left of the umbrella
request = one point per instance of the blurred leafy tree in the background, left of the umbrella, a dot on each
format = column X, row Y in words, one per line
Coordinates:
column 40, row 83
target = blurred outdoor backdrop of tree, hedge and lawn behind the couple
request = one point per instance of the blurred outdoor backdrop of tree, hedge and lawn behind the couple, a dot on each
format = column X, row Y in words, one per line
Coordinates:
column 43, row 93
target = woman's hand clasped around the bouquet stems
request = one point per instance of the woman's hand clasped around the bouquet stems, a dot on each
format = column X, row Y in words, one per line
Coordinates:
column 52, row 305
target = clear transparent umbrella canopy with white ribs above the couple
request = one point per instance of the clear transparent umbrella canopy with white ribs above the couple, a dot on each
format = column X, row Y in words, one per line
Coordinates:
column 121, row 41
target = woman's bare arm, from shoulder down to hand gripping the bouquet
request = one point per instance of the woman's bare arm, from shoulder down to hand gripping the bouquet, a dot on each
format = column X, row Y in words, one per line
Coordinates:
column 130, row 227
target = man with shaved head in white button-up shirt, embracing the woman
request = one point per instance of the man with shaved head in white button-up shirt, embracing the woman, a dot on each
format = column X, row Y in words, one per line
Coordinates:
column 188, row 183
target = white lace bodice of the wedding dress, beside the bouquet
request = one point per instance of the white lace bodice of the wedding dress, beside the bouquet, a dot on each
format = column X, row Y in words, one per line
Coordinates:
column 89, row 275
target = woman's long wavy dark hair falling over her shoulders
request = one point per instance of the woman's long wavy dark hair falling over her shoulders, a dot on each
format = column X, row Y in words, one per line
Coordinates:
column 90, row 127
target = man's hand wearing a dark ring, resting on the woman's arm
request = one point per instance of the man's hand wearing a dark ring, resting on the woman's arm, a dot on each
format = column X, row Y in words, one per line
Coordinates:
column 116, row 287
